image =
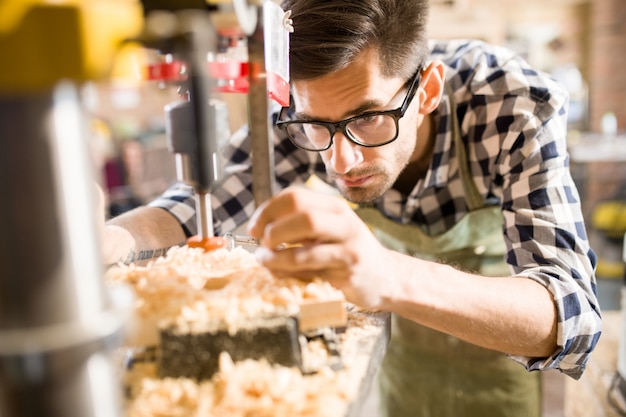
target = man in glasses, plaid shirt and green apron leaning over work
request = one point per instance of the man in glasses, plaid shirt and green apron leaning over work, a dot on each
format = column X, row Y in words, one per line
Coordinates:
column 456, row 154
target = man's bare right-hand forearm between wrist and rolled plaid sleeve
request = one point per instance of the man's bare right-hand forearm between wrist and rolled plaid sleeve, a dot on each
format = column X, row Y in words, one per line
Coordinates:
column 508, row 314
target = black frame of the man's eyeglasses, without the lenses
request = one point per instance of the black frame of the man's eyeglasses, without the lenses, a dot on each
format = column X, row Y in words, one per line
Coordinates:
column 340, row 126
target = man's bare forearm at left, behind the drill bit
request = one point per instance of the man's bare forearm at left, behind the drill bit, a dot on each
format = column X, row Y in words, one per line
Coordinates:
column 140, row 234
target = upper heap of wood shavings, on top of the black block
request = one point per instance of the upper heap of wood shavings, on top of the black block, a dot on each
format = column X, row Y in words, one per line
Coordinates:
column 174, row 291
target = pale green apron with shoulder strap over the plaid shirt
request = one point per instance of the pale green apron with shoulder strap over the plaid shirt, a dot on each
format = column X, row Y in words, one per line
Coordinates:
column 431, row 374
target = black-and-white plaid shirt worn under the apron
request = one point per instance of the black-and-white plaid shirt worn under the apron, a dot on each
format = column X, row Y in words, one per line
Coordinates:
column 513, row 123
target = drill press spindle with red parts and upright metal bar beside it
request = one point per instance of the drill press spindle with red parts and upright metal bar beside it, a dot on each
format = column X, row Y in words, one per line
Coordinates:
column 195, row 127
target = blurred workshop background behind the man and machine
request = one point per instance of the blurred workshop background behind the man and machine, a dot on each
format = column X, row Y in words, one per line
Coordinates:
column 582, row 43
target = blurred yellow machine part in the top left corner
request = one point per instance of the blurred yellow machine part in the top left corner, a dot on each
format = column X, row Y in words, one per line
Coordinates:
column 43, row 42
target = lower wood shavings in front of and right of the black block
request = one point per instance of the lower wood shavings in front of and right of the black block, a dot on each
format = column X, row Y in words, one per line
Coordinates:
column 256, row 388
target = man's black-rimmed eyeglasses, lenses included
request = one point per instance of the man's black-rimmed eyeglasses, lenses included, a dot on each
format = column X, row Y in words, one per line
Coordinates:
column 371, row 129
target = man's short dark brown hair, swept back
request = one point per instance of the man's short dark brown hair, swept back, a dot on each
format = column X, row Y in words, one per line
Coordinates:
column 329, row 34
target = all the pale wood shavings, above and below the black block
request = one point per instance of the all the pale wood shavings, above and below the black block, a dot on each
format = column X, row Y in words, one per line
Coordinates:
column 174, row 290
